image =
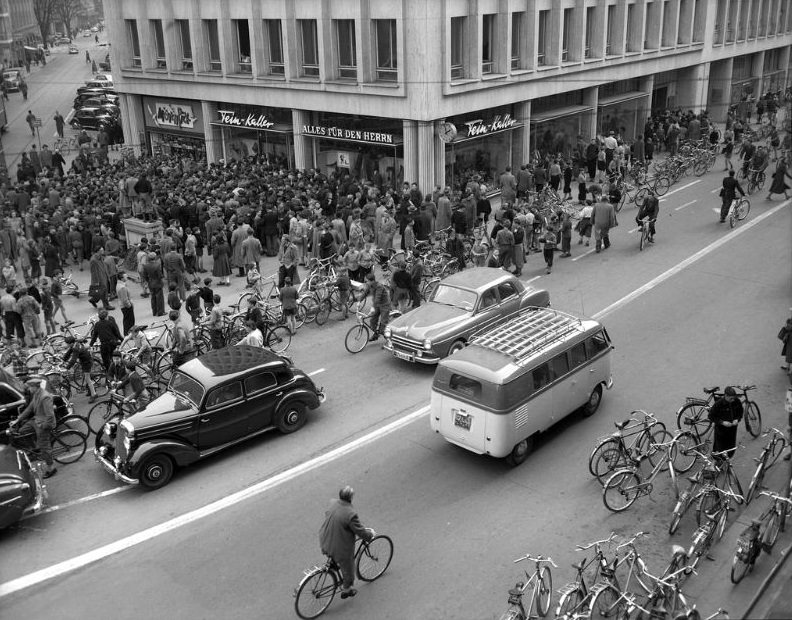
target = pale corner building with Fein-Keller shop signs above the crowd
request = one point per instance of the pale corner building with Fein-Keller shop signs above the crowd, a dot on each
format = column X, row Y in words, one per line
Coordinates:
column 435, row 91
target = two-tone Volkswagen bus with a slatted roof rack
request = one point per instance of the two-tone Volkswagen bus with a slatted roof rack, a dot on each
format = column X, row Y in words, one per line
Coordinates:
column 516, row 380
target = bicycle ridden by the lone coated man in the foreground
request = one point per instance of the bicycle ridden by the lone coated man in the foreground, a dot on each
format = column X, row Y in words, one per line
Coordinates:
column 318, row 587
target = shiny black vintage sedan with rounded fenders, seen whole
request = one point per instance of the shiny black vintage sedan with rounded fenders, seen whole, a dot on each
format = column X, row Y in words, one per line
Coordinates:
column 212, row 403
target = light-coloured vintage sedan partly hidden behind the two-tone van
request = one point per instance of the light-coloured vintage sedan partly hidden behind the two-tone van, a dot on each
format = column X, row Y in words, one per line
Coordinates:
column 464, row 303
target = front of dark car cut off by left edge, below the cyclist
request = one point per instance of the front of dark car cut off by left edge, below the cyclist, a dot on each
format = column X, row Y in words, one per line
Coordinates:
column 22, row 491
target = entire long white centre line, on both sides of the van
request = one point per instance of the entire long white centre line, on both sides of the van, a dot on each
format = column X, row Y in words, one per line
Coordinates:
column 85, row 559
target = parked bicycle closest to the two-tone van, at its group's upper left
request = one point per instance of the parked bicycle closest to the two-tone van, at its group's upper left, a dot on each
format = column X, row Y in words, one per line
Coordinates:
column 613, row 452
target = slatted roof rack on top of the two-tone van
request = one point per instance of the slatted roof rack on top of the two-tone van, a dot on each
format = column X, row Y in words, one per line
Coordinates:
column 529, row 332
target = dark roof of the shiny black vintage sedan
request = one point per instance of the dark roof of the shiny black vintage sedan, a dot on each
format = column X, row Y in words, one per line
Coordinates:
column 221, row 365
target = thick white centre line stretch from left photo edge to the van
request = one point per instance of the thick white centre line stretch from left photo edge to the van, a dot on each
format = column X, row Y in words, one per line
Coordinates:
column 85, row 559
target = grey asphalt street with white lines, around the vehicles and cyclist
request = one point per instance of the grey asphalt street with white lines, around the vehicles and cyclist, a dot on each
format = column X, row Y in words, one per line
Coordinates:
column 230, row 537
